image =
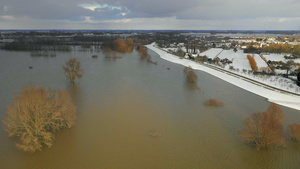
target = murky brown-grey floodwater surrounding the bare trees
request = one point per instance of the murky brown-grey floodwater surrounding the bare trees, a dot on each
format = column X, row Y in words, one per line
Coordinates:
column 120, row 102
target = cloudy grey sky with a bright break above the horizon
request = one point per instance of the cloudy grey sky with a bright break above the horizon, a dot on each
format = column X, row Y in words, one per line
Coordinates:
column 151, row 14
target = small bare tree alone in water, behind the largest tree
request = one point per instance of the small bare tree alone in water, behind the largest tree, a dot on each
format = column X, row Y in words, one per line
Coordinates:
column 72, row 69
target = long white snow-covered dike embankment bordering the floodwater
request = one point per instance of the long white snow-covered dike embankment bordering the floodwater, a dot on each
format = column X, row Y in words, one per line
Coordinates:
column 284, row 99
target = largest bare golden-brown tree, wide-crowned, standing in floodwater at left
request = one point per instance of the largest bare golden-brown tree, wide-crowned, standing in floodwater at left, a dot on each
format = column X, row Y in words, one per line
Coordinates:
column 36, row 114
